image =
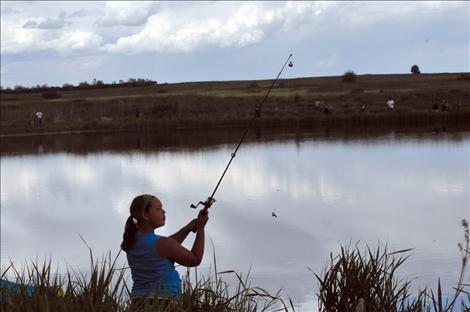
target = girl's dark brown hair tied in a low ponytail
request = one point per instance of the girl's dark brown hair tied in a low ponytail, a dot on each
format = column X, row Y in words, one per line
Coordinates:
column 140, row 204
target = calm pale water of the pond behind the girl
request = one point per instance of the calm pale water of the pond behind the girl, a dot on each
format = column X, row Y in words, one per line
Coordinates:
column 406, row 190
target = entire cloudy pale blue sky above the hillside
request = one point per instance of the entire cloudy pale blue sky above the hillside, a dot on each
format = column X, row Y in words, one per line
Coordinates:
column 69, row 42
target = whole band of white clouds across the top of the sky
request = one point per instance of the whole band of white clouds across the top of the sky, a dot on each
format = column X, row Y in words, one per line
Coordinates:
column 185, row 27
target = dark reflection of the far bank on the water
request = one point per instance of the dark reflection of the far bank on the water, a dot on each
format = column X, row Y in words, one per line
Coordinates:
column 84, row 143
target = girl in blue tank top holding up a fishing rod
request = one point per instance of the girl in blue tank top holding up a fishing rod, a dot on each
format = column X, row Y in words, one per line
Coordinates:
column 151, row 257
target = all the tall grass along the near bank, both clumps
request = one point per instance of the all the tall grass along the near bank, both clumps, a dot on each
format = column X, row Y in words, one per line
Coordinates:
column 352, row 281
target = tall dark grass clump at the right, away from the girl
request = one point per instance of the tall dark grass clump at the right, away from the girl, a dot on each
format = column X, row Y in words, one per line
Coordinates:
column 368, row 281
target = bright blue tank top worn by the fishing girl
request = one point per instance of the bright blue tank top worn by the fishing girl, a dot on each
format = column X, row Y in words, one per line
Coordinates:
column 151, row 274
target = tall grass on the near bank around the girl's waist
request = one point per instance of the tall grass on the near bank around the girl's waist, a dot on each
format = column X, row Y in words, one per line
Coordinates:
column 104, row 288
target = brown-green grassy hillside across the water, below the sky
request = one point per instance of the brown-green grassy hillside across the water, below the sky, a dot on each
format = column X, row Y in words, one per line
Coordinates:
column 227, row 104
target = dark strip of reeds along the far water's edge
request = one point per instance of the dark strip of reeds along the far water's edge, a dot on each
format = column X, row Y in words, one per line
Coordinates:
column 459, row 122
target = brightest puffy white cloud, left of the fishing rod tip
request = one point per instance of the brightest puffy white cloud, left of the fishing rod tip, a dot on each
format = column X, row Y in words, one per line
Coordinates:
column 167, row 33
